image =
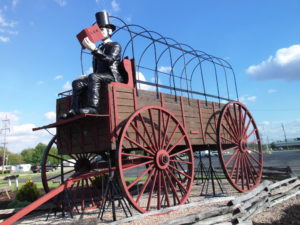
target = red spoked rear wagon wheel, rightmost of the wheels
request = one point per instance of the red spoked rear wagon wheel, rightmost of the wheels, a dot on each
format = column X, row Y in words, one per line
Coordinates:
column 239, row 146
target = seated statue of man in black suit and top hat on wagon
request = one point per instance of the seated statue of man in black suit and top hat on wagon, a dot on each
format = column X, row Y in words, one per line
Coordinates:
column 106, row 59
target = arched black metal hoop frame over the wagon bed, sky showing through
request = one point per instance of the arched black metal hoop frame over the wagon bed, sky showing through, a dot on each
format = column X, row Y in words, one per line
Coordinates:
column 189, row 60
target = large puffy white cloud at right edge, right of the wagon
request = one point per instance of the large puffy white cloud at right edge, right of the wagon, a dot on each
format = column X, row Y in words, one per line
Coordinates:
column 284, row 65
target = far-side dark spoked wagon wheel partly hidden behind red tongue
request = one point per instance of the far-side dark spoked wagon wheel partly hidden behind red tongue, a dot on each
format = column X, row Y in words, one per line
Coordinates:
column 85, row 193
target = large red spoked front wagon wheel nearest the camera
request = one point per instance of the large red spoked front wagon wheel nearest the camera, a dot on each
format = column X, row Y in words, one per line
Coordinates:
column 155, row 160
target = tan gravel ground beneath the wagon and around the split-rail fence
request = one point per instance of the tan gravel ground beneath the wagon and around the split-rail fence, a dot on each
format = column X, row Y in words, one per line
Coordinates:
column 287, row 212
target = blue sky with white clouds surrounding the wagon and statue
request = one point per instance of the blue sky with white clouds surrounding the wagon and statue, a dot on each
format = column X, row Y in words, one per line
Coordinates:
column 40, row 55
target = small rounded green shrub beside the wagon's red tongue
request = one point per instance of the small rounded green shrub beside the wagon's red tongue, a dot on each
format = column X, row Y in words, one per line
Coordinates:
column 28, row 192
